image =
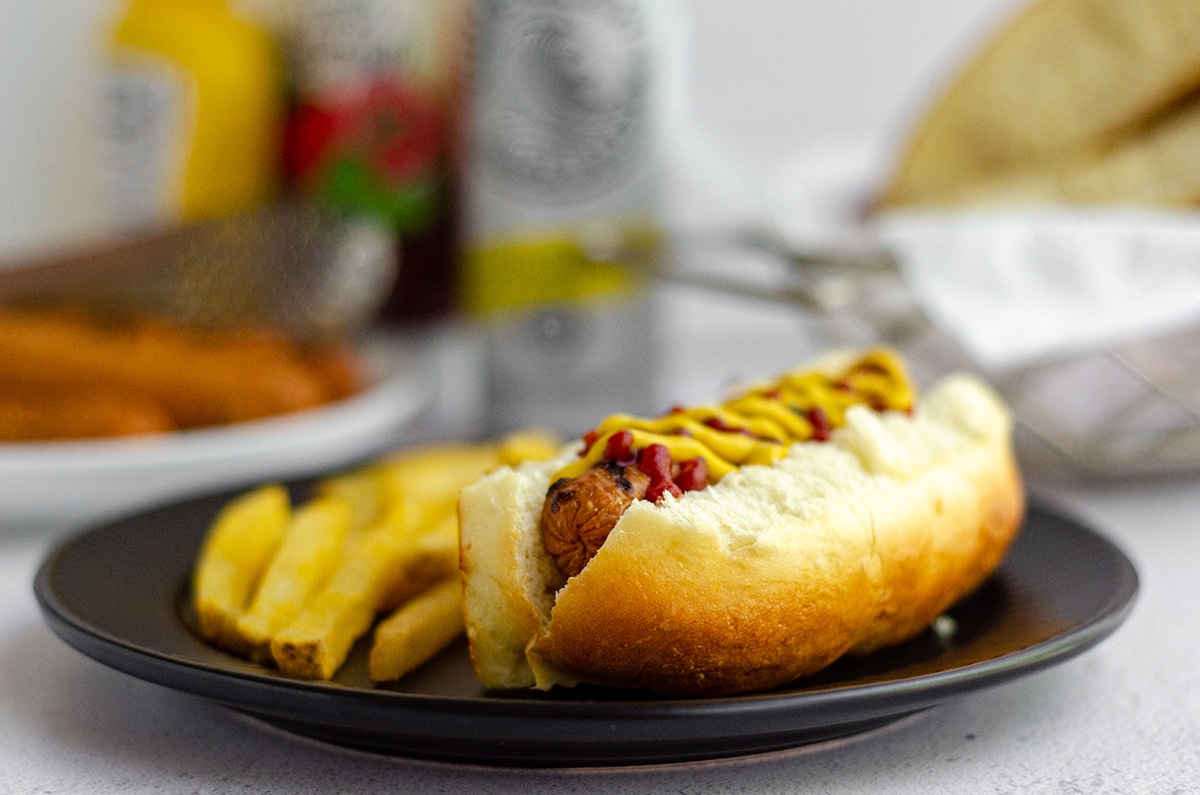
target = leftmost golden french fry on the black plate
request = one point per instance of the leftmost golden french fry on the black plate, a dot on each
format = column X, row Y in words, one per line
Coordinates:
column 241, row 543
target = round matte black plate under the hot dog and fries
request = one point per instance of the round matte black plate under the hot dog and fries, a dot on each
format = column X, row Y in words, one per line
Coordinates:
column 118, row 594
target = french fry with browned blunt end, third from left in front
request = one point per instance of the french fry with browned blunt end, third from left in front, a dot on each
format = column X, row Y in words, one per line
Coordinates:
column 316, row 643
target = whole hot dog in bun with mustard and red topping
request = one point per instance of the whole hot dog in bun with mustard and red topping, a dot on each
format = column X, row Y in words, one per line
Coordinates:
column 736, row 548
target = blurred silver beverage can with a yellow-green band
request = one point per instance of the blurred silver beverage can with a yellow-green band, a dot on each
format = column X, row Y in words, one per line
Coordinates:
column 562, row 180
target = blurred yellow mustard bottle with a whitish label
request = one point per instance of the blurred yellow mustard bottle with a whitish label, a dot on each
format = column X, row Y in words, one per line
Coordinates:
column 195, row 109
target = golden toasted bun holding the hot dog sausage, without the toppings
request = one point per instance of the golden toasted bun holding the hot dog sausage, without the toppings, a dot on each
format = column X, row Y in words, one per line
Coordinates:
column 843, row 547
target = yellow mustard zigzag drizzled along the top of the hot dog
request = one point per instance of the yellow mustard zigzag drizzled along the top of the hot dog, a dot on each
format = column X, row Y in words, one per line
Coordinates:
column 765, row 422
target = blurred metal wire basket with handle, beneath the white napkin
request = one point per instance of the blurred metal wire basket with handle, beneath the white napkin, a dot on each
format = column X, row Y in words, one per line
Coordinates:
column 1119, row 411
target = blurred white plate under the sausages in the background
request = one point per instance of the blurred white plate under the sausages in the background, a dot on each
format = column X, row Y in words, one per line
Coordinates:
column 53, row 487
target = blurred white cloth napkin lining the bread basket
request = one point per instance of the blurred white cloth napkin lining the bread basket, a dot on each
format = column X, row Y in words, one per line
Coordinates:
column 1012, row 286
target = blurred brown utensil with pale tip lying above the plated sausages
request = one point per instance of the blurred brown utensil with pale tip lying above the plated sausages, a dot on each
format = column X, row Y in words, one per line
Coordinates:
column 295, row 267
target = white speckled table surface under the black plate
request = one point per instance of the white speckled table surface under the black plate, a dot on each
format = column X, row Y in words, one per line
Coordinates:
column 1124, row 718
